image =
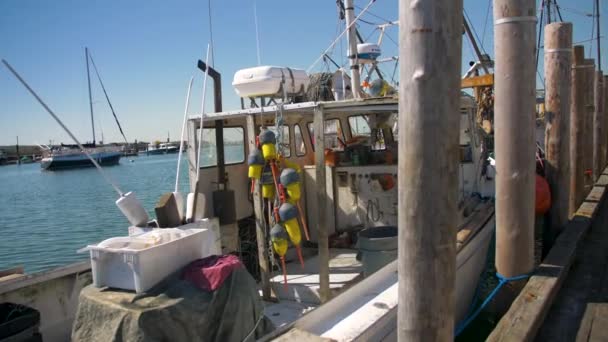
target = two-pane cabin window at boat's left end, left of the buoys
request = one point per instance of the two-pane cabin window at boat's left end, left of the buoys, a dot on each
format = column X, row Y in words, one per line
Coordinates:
column 234, row 146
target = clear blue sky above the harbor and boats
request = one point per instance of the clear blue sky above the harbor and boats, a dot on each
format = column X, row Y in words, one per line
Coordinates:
column 147, row 50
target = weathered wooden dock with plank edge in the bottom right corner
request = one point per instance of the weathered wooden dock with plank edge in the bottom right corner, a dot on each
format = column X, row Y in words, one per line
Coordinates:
column 567, row 297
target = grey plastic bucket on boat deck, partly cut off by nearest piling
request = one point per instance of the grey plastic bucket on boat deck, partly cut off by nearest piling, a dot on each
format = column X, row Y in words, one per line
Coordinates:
column 377, row 247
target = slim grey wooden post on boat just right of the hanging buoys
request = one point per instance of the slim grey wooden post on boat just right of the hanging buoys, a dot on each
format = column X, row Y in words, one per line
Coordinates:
column 322, row 227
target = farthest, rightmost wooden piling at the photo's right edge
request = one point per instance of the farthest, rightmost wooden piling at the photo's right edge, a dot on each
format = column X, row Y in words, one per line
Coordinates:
column 599, row 130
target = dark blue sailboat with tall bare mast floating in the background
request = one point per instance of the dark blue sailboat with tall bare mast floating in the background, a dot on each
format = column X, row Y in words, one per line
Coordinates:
column 71, row 156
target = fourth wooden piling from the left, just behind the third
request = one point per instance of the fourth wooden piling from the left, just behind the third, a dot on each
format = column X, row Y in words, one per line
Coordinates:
column 577, row 125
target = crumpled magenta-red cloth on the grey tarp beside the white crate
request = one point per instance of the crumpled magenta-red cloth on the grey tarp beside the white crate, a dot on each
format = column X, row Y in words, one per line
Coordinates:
column 209, row 273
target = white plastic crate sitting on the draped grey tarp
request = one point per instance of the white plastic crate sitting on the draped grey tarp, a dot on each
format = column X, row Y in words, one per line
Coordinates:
column 139, row 262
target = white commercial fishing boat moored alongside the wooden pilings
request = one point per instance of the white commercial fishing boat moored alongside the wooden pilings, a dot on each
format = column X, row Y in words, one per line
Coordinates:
column 344, row 148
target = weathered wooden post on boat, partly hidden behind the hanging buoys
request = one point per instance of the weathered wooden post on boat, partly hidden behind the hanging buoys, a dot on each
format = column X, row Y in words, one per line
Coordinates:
column 259, row 217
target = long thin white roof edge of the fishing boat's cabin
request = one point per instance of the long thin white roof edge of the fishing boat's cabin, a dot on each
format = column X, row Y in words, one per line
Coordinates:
column 368, row 105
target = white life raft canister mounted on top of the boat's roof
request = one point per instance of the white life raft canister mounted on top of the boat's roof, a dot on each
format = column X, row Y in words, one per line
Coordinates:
column 267, row 81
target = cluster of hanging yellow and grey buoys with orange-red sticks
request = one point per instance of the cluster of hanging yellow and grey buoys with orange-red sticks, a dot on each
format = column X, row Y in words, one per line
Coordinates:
column 283, row 189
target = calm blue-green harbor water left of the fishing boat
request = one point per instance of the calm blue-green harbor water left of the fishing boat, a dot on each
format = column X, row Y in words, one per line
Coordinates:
column 45, row 216
